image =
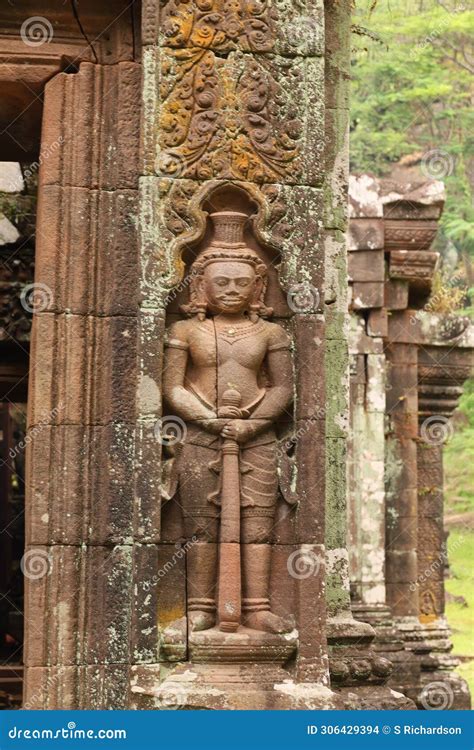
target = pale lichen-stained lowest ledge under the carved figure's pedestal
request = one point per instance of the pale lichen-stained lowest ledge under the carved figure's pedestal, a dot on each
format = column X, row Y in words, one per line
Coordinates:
column 228, row 687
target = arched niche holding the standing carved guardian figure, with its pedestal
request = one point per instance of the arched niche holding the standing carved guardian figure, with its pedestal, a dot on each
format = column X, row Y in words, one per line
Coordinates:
column 251, row 563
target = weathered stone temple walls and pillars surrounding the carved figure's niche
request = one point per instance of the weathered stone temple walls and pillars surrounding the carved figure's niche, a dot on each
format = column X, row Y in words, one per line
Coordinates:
column 111, row 256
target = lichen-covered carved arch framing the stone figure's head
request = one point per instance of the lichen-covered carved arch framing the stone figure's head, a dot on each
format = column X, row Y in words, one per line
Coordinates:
column 173, row 219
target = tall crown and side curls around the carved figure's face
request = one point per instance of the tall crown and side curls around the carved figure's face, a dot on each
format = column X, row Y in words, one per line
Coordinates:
column 227, row 244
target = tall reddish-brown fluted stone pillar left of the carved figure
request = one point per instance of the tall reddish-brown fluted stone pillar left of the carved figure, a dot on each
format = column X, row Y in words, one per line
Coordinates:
column 81, row 520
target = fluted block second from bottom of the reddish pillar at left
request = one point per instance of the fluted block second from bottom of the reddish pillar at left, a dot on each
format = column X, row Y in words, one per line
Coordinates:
column 76, row 613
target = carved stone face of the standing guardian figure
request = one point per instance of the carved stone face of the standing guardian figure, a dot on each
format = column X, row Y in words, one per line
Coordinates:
column 230, row 286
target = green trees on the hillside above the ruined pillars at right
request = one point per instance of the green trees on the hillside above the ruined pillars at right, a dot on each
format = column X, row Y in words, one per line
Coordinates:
column 412, row 103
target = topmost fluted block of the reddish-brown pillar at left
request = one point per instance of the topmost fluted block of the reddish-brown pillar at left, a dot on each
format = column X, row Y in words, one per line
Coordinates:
column 100, row 105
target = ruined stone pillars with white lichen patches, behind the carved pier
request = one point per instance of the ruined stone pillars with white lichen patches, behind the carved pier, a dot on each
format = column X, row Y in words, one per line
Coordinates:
column 397, row 577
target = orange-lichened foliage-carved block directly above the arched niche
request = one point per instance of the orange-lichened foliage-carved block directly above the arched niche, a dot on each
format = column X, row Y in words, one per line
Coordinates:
column 293, row 134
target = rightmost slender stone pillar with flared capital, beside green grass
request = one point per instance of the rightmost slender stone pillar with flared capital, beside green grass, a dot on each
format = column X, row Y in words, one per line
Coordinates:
column 443, row 365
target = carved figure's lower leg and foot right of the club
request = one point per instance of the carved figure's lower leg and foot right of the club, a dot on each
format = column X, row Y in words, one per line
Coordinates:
column 256, row 563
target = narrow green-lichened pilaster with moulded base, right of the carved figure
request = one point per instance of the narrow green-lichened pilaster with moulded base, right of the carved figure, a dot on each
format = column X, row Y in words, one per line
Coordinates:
column 357, row 673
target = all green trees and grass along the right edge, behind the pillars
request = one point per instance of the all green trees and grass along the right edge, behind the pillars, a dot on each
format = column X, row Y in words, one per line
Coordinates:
column 412, row 108
